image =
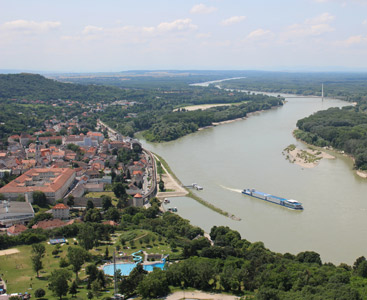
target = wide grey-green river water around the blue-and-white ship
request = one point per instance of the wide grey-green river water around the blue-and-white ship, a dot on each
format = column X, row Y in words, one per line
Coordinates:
column 248, row 154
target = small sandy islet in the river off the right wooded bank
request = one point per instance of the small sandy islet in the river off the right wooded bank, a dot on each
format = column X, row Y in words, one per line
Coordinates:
column 309, row 158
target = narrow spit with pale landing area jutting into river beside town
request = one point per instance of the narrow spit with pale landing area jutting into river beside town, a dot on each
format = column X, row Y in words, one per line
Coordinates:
column 175, row 189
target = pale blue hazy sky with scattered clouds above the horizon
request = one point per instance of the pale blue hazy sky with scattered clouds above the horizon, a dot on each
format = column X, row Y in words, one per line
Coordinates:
column 120, row 35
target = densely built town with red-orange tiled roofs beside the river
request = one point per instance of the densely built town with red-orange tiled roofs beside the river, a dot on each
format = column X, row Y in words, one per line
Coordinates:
column 70, row 170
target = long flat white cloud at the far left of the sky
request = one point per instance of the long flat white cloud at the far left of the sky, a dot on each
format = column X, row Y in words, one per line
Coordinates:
column 24, row 26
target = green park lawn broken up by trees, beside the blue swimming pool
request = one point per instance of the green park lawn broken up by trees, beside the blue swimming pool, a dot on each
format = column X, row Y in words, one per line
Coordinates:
column 17, row 268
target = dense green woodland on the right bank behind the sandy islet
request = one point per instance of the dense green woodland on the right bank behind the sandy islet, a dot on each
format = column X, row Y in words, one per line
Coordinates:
column 343, row 129
